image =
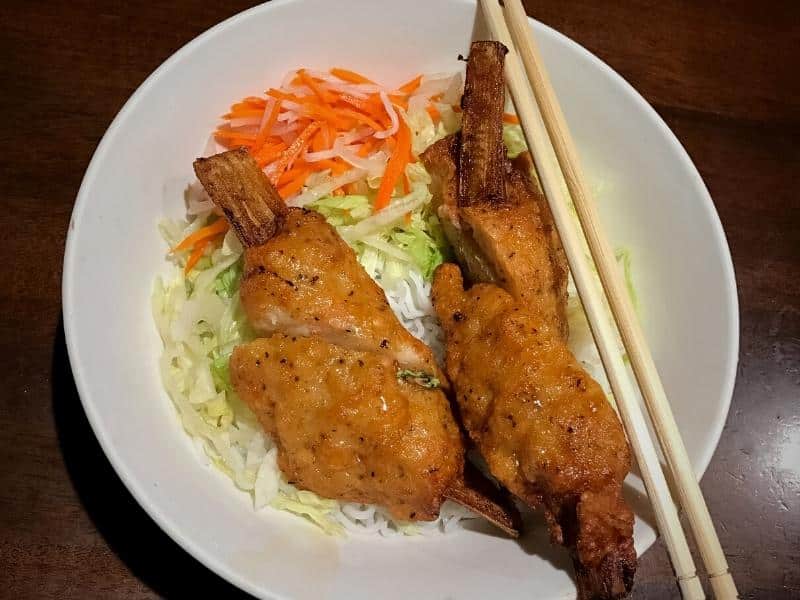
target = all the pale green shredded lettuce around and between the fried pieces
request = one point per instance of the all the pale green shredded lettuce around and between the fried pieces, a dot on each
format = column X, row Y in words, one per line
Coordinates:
column 200, row 319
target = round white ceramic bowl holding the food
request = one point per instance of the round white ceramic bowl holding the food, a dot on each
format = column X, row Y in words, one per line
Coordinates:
column 652, row 200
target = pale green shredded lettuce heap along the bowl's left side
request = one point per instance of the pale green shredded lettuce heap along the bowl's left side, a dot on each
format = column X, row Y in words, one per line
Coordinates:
column 200, row 320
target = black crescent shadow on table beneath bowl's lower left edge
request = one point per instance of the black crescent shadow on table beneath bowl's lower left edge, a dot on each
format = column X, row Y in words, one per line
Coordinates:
column 148, row 552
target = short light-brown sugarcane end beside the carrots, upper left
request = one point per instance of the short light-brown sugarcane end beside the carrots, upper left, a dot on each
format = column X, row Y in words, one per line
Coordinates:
column 239, row 187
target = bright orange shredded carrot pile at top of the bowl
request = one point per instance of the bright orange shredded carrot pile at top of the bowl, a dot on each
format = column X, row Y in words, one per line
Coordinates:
column 307, row 116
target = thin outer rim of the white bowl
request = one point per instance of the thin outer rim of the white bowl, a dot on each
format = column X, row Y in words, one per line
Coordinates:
column 136, row 488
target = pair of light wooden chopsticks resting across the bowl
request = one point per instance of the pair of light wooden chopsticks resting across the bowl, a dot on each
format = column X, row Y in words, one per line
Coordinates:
column 555, row 157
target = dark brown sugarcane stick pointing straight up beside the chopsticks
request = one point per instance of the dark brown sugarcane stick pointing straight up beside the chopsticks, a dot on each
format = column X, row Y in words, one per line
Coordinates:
column 483, row 155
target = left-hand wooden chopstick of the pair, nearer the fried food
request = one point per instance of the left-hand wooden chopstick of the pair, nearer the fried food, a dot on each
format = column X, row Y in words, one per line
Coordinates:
column 592, row 299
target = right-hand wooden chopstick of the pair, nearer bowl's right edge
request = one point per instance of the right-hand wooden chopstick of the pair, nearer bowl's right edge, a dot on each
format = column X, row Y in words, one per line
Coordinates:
column 630, row 330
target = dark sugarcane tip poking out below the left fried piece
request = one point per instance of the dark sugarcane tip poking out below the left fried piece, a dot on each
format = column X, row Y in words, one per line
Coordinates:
column 476, row 493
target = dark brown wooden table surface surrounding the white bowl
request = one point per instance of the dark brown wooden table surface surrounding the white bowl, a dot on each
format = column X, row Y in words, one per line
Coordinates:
column 724, row 75
